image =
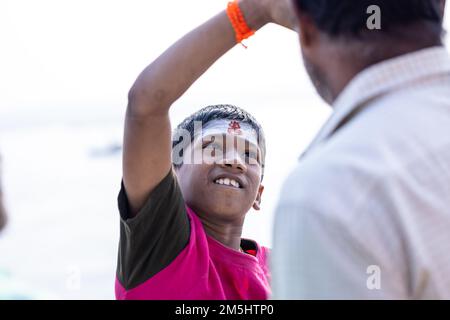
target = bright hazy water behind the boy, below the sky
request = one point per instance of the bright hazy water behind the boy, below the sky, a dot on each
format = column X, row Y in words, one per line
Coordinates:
column 61, row 181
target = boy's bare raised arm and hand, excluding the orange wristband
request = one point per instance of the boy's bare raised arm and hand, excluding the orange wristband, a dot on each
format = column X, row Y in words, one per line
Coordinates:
column 147, row 140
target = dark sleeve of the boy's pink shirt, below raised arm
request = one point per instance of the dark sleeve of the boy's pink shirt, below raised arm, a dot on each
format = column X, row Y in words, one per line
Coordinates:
column 151, row 240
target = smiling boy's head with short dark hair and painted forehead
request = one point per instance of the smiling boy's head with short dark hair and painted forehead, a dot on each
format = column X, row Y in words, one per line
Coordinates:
column 222, row 159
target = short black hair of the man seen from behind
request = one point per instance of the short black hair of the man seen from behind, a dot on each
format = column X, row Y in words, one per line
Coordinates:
column 349, row 17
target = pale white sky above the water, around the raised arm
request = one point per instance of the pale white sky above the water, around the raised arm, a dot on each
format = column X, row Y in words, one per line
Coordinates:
column 85, row 54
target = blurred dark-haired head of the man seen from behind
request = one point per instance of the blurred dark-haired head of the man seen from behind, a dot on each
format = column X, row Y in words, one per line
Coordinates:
column 339, row 38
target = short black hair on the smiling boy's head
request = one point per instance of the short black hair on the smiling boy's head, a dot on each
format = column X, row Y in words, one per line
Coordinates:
column 222, row 112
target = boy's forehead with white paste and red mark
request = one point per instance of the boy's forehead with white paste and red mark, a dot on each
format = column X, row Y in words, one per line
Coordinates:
column 230, row 129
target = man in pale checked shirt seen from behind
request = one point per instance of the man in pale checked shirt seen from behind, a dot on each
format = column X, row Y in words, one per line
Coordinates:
column 365, row 214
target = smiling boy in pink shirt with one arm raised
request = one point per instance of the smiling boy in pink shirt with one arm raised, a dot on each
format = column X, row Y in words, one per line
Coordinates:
column 180, row 235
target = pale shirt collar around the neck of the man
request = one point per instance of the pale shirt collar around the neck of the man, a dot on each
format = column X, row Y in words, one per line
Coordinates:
column 380, row 79
